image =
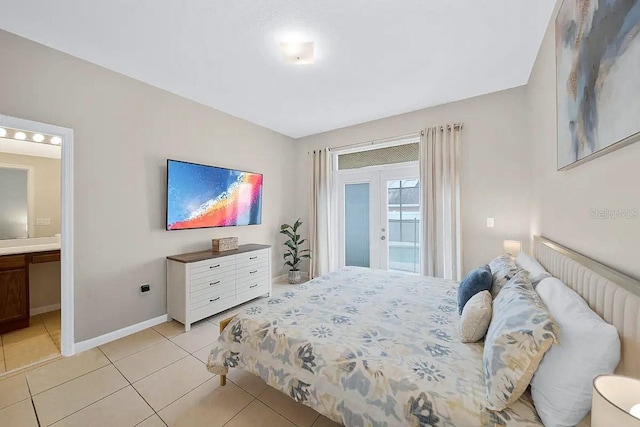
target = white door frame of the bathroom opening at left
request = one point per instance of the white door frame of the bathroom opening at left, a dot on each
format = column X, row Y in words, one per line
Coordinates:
column 67, row 340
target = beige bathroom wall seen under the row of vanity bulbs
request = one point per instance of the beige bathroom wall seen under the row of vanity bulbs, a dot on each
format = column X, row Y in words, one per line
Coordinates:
column 47, row 189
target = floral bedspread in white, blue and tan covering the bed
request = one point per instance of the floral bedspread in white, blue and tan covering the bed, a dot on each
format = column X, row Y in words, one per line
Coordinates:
column 368, row 348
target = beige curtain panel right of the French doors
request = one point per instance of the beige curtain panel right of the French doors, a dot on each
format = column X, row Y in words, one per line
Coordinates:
column 440, row 202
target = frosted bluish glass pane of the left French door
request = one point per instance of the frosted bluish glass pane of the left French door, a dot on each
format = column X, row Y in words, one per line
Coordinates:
column 356, row 225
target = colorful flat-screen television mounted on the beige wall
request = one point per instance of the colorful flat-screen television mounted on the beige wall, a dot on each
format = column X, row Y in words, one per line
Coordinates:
column 200, row 196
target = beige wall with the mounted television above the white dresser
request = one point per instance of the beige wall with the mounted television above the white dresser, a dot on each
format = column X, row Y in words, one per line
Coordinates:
column 124, row 132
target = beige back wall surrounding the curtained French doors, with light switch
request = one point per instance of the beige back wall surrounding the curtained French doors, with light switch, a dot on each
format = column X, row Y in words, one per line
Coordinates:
column 496, row 178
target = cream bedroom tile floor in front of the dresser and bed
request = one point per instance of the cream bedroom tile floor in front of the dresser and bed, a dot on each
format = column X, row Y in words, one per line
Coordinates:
column 156, row 377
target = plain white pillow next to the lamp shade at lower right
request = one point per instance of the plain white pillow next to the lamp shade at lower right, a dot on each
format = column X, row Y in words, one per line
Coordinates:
column 588, row 347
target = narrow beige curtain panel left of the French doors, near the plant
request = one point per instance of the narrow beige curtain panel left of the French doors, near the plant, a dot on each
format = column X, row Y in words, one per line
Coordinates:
column 320, row 213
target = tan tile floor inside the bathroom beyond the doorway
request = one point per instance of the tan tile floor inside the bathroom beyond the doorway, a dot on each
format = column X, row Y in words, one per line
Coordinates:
column 39, row 342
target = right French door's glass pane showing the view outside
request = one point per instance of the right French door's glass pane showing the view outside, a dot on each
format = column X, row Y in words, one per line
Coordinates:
column 404, row 225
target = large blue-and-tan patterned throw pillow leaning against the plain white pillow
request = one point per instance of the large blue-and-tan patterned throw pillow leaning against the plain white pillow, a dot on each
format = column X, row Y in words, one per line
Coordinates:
column 520, row 333
